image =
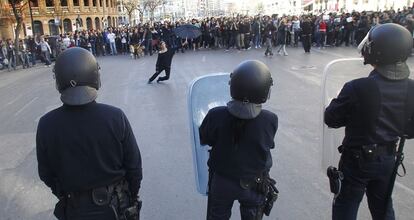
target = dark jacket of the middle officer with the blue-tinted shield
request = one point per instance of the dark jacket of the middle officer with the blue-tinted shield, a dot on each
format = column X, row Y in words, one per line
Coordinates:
column 243, row 156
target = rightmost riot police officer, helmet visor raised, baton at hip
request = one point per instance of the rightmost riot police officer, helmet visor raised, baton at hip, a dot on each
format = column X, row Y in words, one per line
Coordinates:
column 375, row 111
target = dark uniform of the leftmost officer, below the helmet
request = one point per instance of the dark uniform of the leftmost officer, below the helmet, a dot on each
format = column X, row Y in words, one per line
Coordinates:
column 82, row 148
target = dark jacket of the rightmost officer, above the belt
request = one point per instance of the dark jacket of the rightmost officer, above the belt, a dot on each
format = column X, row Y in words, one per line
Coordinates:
column 373, row 110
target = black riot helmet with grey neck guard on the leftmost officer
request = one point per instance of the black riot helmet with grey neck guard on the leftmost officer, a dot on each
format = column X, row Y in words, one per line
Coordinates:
column 77, row 76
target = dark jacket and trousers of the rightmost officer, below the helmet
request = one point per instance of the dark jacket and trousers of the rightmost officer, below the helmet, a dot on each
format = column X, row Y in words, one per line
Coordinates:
column 375, row 112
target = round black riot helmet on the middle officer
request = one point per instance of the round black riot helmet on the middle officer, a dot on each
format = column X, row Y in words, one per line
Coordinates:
column 250, row 82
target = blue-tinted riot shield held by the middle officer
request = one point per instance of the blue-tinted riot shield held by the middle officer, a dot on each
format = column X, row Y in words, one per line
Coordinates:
column 205, row 93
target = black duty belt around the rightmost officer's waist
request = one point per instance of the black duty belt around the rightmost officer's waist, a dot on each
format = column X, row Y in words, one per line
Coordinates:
column 387, row 149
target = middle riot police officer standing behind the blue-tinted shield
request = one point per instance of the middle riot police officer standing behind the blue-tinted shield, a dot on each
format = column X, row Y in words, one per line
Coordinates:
column 241, row 135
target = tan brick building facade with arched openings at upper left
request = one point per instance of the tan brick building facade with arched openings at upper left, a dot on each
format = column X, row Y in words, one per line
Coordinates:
column 53, row 17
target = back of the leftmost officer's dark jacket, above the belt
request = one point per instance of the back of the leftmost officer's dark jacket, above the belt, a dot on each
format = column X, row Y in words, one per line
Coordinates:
column 84, row 144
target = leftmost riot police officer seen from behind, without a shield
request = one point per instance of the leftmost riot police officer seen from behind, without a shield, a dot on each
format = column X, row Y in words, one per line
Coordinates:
column 86, row 151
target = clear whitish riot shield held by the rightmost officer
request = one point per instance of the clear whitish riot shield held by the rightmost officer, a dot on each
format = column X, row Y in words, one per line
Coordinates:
column 335, row 75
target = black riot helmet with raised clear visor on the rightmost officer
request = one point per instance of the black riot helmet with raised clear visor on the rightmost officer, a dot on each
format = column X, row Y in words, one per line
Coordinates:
column 386, row 44
